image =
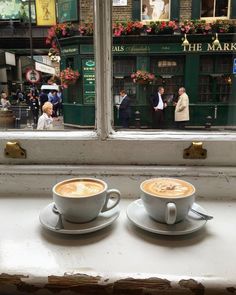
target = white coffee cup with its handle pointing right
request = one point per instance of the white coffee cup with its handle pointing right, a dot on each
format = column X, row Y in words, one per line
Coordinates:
column 82, row 199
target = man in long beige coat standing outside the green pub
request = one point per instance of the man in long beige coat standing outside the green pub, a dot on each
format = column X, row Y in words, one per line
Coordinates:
column 182, row 109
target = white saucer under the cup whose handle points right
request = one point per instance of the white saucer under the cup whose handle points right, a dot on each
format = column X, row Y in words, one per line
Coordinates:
column 49, row 220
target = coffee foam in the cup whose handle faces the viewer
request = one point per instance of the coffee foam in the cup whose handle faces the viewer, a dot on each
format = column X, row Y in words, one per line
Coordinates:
column 168, row 187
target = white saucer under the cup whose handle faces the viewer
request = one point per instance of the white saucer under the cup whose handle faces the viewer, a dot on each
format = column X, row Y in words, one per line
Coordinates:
column 137, row 214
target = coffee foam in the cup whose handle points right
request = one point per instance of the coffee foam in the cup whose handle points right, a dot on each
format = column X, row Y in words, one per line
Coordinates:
column 79, row 188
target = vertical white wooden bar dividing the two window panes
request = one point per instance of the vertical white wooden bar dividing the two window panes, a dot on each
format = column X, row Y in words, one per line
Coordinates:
column 103, row 58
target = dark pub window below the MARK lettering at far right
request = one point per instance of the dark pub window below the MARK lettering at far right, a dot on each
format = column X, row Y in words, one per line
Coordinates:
column 215, row 79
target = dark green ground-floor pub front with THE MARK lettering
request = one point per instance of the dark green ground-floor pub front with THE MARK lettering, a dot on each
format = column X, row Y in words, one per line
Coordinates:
column 204, row 69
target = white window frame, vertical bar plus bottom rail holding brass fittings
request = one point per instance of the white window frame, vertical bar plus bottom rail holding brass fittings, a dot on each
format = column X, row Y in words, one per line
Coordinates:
column 107, row 146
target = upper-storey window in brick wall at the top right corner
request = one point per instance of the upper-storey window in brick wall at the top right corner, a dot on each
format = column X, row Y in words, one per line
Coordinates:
column 215, row 8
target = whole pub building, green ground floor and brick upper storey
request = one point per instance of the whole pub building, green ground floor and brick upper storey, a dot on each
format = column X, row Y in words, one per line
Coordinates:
column 204, row 66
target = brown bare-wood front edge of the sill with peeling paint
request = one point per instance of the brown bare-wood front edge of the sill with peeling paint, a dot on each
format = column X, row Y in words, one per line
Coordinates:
column 85, row 284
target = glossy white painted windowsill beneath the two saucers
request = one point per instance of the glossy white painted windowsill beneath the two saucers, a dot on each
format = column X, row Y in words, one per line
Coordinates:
column 32, row 257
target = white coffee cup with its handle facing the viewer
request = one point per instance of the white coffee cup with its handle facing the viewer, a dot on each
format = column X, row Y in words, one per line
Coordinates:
column 167, row 200
